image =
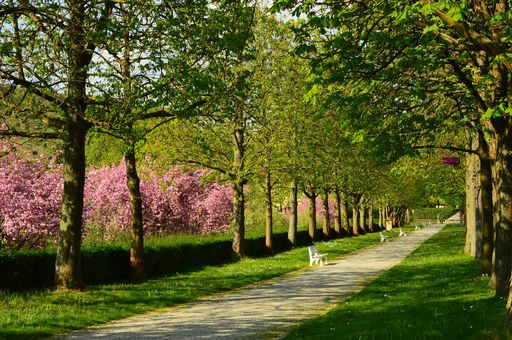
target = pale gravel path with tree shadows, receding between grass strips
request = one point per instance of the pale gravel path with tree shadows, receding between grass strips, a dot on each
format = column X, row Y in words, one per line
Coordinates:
column 268, row 309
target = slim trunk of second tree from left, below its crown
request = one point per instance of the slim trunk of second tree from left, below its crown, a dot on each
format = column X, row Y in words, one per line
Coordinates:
column 136, row 225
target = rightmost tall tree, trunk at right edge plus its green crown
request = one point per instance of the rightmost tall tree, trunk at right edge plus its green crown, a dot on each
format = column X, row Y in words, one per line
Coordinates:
column 442, row 47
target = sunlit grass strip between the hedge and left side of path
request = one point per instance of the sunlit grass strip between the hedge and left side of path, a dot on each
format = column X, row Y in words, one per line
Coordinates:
column 44, row 314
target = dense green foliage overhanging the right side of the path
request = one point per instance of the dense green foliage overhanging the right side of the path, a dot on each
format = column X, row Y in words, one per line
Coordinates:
column 393, row 82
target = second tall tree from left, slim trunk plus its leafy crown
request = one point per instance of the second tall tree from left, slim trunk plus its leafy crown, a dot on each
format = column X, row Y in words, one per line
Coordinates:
column 136, row 57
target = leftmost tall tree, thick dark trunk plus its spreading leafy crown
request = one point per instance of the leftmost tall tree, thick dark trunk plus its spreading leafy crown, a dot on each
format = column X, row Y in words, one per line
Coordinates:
column 59, row 52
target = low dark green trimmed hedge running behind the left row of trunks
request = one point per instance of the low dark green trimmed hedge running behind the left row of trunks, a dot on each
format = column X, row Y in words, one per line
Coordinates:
column 35, row 270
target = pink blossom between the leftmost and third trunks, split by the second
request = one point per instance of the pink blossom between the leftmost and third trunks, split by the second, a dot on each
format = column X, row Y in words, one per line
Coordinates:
column 173, row 202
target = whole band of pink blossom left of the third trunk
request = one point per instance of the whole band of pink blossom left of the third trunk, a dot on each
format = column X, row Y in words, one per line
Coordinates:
column 176, row 201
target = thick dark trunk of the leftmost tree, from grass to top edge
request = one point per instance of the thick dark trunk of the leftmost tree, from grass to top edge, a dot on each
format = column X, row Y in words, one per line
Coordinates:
column 68, row 265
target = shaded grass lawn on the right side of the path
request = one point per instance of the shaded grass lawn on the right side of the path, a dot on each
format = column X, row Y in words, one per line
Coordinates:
column 436, row 293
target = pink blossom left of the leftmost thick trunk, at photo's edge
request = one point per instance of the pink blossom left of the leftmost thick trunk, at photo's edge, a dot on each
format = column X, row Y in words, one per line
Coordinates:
column 30, row 195
